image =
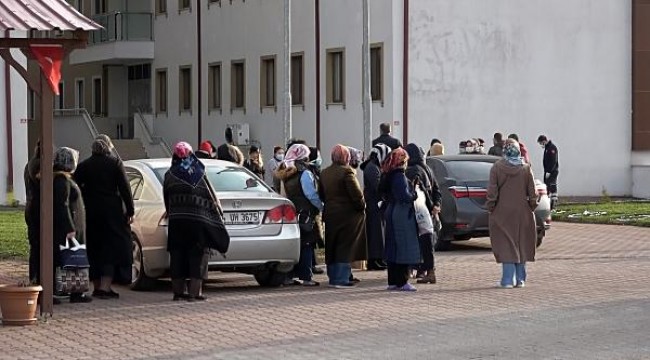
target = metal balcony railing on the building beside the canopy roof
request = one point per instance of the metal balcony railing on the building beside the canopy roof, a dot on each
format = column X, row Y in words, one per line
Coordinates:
column 123, row 26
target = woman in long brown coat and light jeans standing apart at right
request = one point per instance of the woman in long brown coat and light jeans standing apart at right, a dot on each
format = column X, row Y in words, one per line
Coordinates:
column 511, row 202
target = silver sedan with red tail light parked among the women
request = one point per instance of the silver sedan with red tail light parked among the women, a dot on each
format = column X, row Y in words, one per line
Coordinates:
column 265, row 238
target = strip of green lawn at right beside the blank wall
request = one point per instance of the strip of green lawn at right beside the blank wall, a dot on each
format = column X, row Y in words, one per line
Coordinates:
column 635, row 213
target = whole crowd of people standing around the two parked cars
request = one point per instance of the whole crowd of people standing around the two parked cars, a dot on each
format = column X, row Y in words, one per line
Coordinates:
column 380, row 223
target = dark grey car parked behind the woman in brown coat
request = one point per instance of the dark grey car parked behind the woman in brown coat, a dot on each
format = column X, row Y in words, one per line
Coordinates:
column 463, row 181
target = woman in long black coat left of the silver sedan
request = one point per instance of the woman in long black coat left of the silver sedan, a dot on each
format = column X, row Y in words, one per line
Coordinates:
column 109, row 209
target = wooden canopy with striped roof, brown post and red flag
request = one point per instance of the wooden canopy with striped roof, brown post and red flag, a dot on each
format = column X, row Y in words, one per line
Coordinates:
column 56, row 27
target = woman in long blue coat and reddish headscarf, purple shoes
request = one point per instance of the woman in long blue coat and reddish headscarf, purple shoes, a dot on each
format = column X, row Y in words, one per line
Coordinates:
column 401, row 234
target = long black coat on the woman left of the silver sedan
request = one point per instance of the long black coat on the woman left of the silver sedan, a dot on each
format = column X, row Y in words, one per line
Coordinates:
column 109, row 204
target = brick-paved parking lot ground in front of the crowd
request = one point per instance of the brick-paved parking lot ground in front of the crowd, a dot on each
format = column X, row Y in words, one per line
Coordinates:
column 588, row 297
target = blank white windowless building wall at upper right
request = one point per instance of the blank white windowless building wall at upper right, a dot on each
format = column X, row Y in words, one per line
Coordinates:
column 556, row 67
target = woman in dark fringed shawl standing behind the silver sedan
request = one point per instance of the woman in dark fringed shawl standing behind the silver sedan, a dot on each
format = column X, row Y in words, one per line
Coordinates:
column 194, row 217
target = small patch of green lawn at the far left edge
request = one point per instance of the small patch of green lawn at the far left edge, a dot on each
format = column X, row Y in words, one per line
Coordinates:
column 13, row 235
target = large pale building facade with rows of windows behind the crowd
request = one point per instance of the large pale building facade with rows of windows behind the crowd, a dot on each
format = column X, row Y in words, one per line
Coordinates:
column 446, row 69
